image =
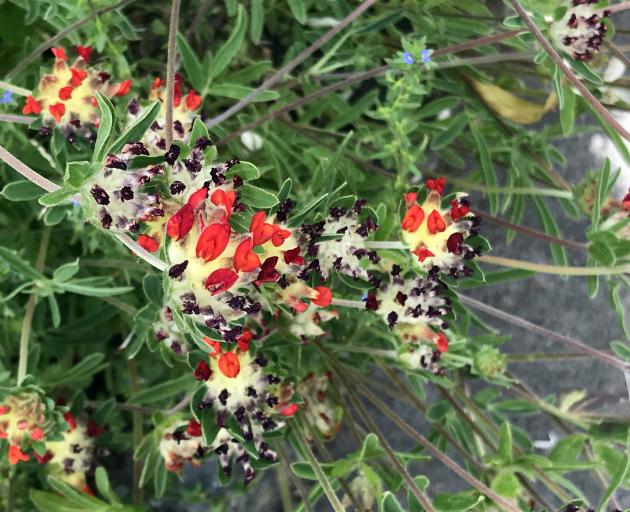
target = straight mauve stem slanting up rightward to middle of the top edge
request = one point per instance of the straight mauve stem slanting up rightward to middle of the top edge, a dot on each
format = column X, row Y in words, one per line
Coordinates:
column 286, row 69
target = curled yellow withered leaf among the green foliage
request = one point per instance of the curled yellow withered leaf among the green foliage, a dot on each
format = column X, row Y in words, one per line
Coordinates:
column 509, row 106
